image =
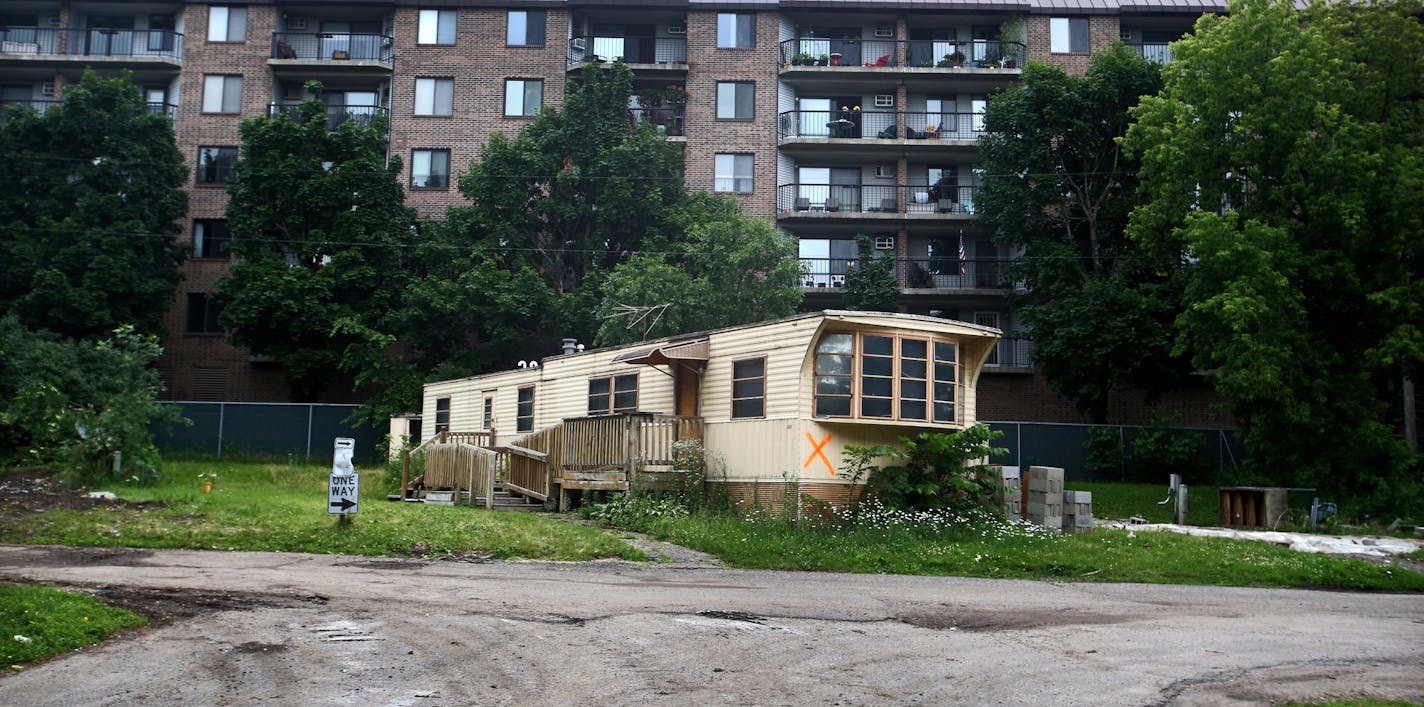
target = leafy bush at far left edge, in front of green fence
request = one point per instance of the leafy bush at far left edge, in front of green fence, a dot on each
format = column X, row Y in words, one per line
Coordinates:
column 78, row 403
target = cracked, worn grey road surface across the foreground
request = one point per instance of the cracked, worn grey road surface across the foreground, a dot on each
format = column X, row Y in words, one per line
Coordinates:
column 303, row 629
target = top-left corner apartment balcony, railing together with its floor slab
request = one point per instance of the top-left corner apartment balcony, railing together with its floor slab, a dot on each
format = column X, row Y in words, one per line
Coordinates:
column 98, row 46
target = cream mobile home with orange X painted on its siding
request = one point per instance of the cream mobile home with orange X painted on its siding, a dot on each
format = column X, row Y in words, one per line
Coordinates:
column 775, row 401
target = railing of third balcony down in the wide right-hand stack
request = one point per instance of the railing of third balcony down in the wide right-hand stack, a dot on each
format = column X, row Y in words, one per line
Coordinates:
column 874, row 199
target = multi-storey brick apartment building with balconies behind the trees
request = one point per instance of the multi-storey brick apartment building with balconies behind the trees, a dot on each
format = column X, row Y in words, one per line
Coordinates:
column 829, row 118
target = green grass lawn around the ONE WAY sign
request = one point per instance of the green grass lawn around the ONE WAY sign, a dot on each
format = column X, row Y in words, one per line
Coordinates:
column 283, row 508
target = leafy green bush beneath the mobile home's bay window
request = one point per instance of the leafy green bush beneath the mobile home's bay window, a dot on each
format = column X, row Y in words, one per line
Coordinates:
column 936, row 471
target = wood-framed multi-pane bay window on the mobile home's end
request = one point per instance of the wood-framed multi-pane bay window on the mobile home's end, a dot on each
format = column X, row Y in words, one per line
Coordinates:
column 885, row 377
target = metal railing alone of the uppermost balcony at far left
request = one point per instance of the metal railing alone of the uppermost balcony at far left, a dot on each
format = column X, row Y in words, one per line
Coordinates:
column 90, row 43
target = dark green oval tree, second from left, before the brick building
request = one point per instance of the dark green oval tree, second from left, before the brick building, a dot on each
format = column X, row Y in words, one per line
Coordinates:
column 321, row 233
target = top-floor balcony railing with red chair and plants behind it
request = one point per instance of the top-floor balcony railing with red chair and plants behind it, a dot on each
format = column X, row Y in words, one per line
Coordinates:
column 808, row 52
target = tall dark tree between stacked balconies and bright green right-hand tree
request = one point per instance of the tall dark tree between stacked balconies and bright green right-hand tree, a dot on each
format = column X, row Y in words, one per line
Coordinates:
column 1059, row 189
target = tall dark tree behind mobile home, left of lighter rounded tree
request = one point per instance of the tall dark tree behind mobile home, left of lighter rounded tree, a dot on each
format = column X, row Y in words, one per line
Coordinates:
column 573, row 196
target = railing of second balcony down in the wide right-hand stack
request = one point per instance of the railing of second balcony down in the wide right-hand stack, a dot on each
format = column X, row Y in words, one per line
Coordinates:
column 855, row 125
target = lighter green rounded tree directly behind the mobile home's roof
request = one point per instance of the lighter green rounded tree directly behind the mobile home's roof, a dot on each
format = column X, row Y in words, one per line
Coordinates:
column 721, row 269
